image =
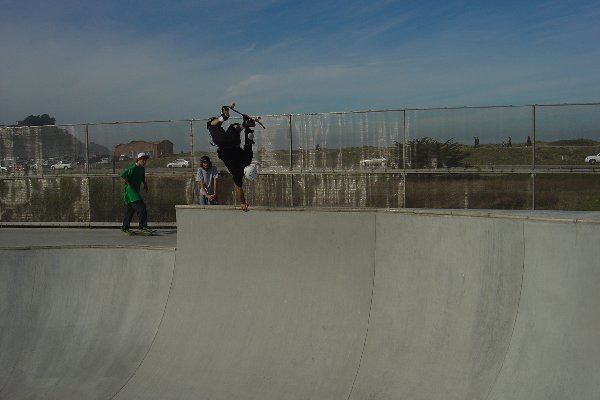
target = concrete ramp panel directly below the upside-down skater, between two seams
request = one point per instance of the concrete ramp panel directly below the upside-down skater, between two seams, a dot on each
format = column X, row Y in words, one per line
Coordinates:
column 265, row 305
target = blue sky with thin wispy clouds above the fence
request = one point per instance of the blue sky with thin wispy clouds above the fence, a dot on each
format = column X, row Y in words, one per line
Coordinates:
column 103, row 61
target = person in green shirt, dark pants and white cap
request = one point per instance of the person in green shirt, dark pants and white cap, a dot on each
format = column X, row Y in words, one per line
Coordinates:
column 135, row 177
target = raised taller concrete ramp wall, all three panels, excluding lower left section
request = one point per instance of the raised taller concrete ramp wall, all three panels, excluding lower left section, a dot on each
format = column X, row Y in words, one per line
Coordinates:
column 292, row 304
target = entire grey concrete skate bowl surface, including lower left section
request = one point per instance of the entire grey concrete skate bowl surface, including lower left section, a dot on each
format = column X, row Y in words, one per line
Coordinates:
column 305, row 304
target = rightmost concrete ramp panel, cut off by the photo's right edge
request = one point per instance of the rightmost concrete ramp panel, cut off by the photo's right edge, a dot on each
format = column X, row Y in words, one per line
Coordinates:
column 555, row 348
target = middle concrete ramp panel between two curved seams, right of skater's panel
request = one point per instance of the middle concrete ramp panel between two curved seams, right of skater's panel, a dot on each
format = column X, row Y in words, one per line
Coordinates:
column 445, row 302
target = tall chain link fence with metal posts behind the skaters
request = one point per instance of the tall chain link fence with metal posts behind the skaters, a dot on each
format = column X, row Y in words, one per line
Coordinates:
column 497, row 157
